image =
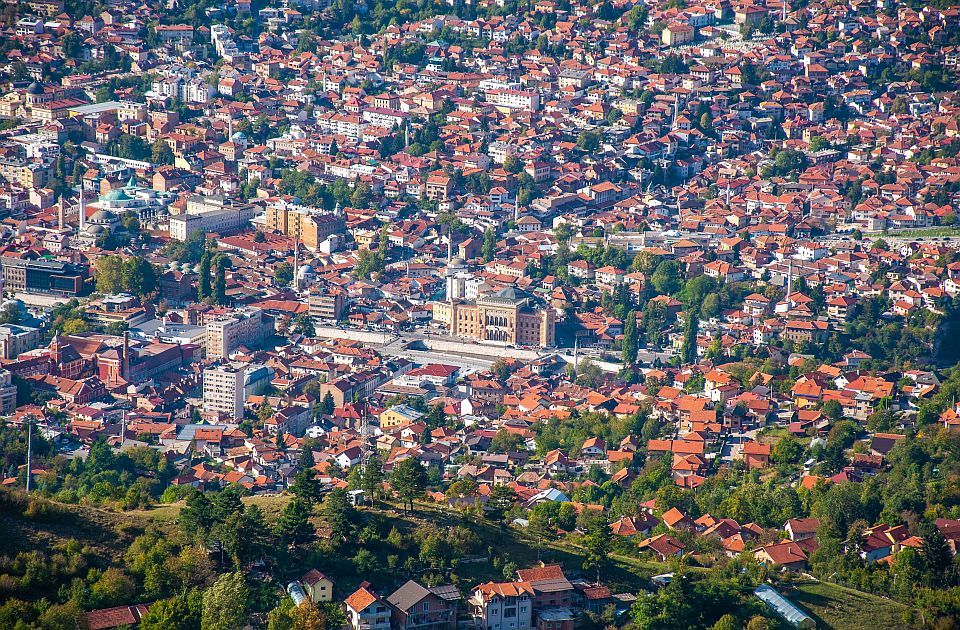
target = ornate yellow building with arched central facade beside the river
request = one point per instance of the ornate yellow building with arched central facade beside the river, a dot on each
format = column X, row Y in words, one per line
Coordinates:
column 502, row 316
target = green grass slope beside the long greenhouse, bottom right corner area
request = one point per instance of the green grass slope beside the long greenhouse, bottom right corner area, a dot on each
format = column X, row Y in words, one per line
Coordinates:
column 834, row 606
